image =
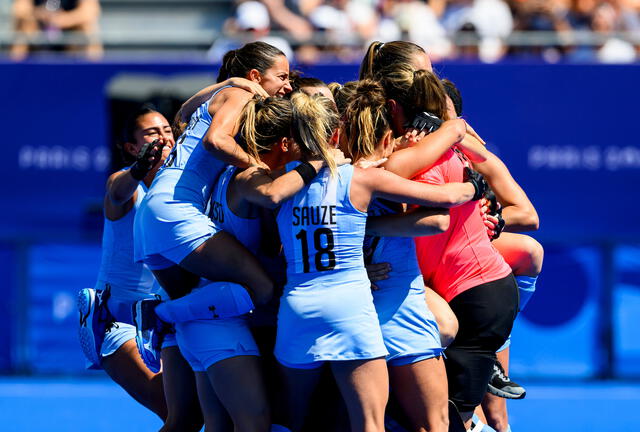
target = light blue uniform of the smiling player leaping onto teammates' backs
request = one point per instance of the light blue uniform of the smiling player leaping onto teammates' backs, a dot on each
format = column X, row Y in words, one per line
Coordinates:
column 172, row 222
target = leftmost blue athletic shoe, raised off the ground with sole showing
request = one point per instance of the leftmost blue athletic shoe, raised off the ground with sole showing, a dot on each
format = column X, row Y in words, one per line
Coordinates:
column 94, row 320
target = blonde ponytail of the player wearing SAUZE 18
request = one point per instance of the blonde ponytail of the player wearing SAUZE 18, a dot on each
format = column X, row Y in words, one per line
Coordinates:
column 314, row 120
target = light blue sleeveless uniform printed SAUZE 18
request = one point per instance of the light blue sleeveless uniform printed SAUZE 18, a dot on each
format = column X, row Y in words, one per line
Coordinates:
column 326, row 311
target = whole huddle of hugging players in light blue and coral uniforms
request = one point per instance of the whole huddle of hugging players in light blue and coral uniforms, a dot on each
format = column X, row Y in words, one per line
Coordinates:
column 310, row 256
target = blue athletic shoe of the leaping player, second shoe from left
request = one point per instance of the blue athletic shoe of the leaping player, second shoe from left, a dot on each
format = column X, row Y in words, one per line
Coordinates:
column 150, row 331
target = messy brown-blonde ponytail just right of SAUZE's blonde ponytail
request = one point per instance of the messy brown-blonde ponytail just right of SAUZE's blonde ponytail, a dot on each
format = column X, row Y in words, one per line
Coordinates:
column 366, row 120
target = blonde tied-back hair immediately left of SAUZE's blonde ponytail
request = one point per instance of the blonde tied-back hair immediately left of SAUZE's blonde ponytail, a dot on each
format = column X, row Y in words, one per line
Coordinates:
column 264, row 121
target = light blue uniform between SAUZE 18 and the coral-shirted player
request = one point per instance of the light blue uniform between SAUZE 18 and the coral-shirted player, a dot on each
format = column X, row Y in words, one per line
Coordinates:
column 409, row 328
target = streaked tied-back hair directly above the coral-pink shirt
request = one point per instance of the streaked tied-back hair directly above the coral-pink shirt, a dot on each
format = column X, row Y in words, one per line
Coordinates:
column 414, row 90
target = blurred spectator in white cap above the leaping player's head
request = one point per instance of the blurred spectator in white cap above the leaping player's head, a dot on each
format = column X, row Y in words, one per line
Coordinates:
column 250, row 23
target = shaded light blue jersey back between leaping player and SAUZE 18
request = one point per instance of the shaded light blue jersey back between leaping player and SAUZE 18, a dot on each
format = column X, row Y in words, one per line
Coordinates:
column 246, row 230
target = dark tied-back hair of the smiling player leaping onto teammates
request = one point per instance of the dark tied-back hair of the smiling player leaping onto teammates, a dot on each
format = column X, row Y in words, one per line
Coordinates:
column 255, row 55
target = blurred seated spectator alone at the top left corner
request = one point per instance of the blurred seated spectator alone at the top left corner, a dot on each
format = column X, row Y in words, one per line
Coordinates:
column 54, row 21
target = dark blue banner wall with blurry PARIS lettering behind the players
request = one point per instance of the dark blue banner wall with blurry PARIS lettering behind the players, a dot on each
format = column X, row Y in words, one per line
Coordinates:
column 565, row 132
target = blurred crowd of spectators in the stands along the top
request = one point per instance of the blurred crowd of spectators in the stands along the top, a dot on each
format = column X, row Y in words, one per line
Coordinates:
column 337, row 30
